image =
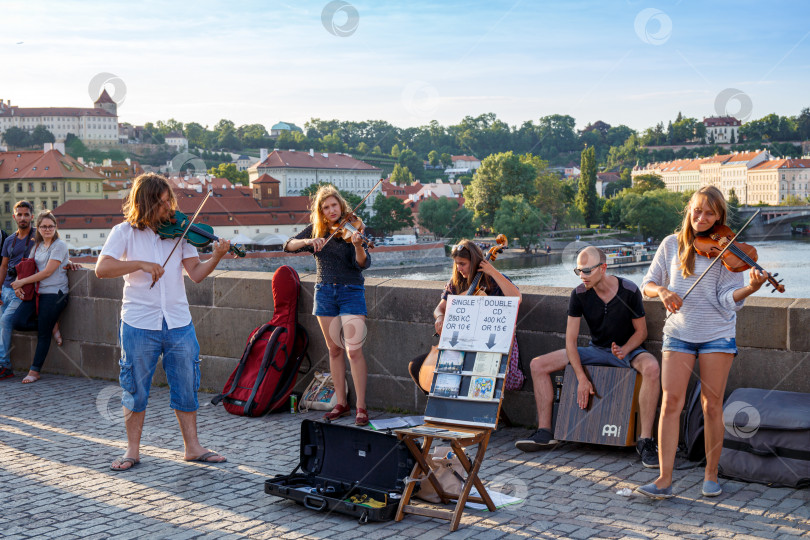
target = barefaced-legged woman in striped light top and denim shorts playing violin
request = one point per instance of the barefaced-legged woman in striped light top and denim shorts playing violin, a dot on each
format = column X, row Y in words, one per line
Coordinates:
column 701, row 327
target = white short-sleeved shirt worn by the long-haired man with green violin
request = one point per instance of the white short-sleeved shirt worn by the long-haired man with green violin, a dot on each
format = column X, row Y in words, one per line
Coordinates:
column 143, row 307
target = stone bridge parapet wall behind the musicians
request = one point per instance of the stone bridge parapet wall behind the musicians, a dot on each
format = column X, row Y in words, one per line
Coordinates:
column 772, row 334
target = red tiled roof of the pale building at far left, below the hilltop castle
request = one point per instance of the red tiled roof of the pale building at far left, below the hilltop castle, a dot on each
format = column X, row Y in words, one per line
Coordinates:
column 36, row 164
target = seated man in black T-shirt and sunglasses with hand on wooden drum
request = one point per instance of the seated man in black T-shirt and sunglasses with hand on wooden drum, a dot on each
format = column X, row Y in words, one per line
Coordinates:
column 613, row 309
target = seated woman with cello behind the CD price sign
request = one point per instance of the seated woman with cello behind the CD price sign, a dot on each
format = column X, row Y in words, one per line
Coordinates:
column 468, row 261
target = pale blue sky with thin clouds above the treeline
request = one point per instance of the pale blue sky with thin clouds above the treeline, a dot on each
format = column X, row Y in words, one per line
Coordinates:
column 630, row 61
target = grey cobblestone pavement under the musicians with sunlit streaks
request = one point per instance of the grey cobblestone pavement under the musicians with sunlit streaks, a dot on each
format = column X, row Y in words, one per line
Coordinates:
column 58, row 437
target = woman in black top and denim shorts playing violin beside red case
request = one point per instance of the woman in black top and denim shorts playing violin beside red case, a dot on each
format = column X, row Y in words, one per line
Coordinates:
column 340, row 301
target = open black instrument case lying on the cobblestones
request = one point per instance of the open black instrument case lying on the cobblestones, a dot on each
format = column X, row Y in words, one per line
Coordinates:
column 346, row 469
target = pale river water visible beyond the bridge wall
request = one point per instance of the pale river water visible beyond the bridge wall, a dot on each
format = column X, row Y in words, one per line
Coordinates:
column 789, row 258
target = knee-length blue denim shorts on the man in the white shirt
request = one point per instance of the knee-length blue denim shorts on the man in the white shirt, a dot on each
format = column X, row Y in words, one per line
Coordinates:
column 140, row 350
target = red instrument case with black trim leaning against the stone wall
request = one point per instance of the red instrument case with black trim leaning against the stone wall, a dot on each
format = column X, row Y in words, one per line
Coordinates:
column 266, row 374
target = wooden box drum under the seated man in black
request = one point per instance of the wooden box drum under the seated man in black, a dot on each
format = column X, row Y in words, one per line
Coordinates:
column 611, row 414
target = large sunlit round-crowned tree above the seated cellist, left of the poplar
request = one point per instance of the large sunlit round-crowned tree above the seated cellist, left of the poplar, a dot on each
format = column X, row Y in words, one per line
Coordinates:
column 499, row 175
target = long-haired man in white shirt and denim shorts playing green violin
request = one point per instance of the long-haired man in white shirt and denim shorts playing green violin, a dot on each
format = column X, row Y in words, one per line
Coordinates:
column 156, row 320
